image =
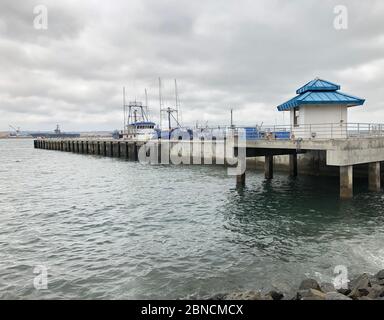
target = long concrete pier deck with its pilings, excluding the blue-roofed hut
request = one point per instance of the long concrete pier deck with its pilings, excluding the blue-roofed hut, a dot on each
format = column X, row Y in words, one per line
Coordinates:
column 341, row 153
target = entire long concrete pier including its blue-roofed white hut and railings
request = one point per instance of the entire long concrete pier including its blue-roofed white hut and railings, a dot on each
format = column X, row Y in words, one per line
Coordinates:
column 319, row 127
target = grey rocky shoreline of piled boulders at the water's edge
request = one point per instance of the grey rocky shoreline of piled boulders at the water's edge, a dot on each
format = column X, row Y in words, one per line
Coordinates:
column 363, row 287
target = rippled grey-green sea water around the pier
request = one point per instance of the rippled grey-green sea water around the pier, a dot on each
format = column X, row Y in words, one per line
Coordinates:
column 112, row 229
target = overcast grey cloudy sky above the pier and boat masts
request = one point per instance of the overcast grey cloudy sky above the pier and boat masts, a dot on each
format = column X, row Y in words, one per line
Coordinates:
column 248, row 55
